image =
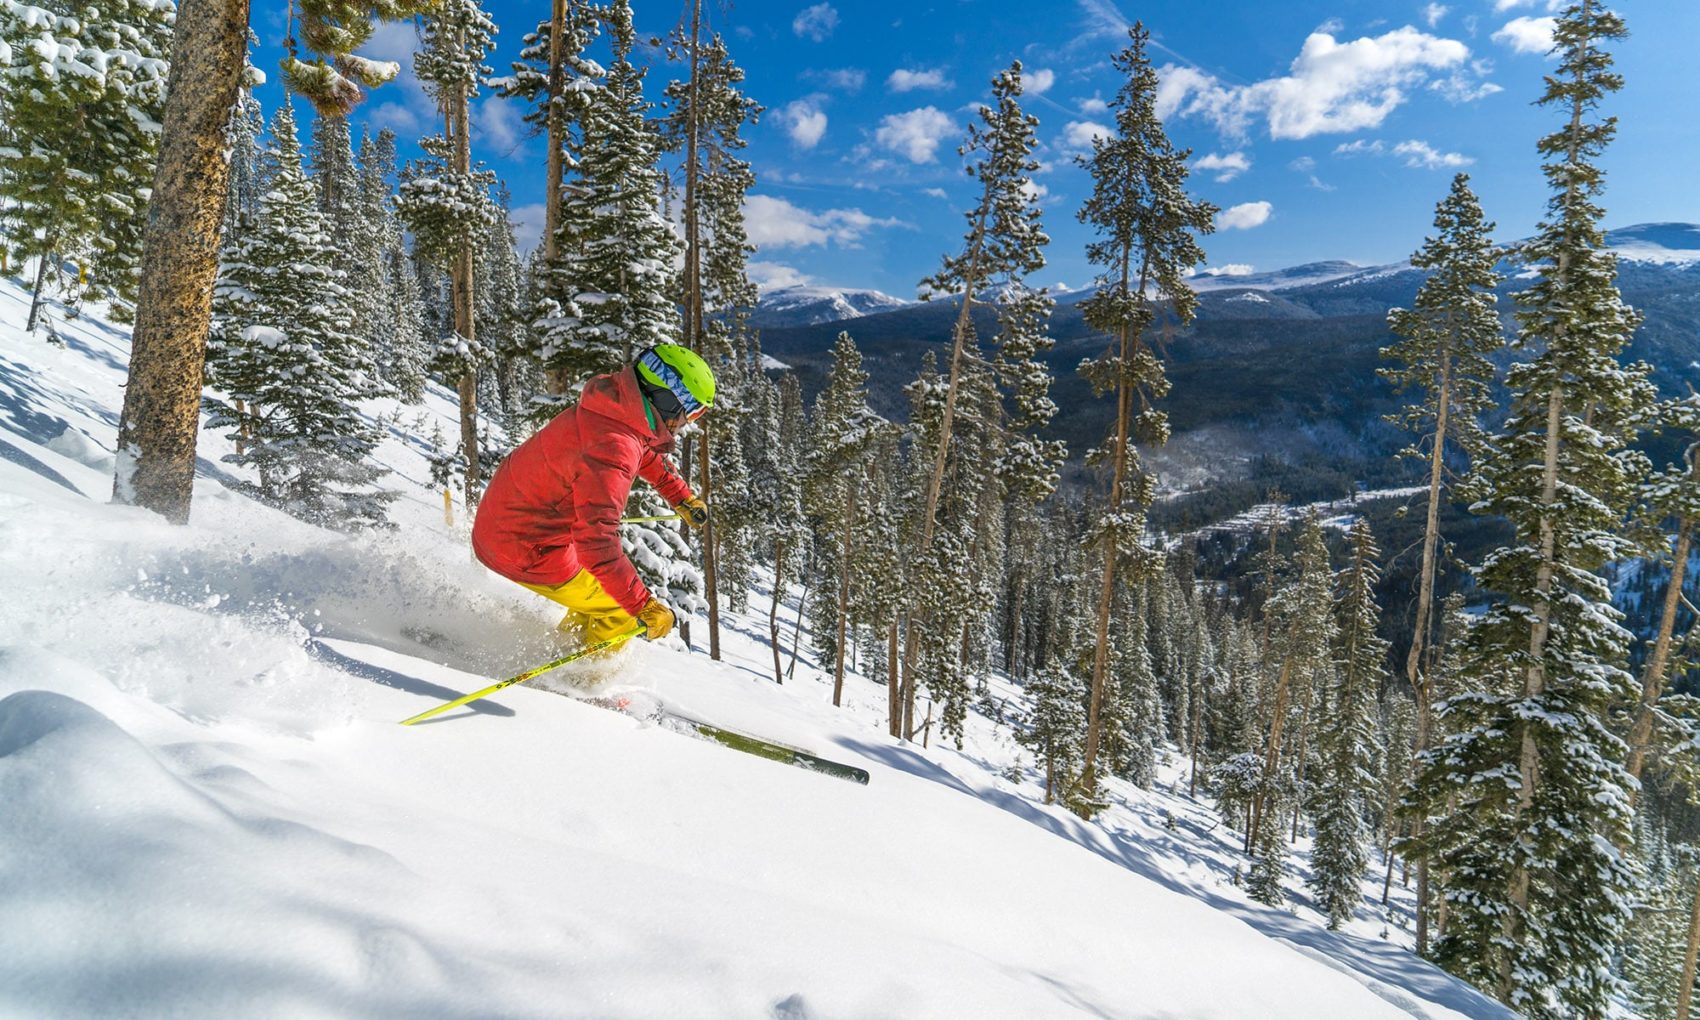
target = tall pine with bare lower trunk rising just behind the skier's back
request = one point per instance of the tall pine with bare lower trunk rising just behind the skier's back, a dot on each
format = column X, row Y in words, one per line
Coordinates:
column 446, row 201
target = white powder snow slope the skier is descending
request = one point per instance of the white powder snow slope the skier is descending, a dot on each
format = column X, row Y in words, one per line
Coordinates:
column 208, row 810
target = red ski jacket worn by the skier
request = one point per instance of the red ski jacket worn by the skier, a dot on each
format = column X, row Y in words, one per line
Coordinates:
column 555, row 506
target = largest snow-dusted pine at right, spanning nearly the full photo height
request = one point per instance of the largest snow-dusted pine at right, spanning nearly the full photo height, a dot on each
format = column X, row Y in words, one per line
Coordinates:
column 1538, row 888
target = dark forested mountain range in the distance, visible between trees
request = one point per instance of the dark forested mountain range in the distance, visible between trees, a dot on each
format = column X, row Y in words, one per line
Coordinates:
column 1278, row 370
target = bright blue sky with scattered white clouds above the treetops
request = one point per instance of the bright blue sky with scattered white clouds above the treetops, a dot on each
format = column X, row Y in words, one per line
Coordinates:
column 1322, row 130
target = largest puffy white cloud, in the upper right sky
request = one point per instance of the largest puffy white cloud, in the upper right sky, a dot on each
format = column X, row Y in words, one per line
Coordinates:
column 1334, row 86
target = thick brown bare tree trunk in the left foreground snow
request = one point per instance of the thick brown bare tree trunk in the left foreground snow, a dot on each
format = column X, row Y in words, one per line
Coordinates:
column 179, row 263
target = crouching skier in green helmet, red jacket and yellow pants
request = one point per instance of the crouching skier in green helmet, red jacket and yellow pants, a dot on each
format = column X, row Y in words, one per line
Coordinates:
column 552, row 516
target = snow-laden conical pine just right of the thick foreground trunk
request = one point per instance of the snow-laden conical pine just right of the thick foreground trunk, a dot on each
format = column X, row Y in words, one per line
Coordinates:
column 283, row 358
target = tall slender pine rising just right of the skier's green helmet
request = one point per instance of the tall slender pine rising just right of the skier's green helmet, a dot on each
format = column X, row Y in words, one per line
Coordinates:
column 705, row 122
